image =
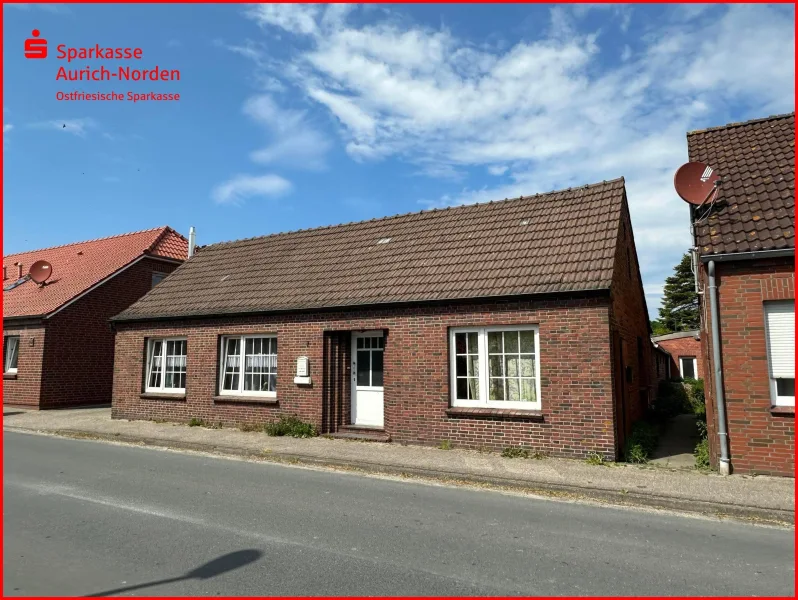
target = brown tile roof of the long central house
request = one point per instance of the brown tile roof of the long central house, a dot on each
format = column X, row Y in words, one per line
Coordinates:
column 561, row 241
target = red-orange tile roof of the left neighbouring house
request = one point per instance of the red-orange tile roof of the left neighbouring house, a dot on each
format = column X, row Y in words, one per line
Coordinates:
column 77, row 267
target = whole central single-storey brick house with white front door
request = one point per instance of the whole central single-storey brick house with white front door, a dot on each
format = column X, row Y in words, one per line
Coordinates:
column 519, row 322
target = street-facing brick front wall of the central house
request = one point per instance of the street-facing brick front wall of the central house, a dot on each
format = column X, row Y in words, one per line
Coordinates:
column 576, row 375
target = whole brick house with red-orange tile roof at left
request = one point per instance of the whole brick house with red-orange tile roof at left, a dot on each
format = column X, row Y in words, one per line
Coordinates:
column 58, row 346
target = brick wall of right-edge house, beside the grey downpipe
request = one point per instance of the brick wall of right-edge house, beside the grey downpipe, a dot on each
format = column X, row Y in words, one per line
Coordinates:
column 760, row 440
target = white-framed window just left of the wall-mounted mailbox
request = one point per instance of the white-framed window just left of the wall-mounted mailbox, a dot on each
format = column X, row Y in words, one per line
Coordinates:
column 249, row 366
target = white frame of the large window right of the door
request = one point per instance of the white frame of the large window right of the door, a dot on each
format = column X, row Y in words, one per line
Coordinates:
column 483, row 369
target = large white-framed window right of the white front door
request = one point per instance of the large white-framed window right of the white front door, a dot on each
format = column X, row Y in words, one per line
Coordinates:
column 495, row 367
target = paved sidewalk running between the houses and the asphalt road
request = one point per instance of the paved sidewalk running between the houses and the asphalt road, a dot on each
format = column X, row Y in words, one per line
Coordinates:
column 756, row 498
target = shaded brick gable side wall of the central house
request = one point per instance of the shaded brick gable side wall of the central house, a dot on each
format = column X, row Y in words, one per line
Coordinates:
column 631, row 354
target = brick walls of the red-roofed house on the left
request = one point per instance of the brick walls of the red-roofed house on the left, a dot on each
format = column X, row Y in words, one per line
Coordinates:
column 67, row 359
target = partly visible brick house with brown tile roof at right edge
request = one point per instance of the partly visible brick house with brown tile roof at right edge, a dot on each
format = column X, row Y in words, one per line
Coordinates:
column 747, row 241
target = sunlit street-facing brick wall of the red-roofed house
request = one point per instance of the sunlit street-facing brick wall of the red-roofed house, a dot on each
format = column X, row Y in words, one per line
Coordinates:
column 23, row 388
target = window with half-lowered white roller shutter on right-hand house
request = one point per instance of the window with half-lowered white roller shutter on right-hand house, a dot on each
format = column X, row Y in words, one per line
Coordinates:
column 780, row 336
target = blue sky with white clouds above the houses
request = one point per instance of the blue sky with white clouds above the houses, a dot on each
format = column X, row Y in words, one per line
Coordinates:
column 295, row 116
